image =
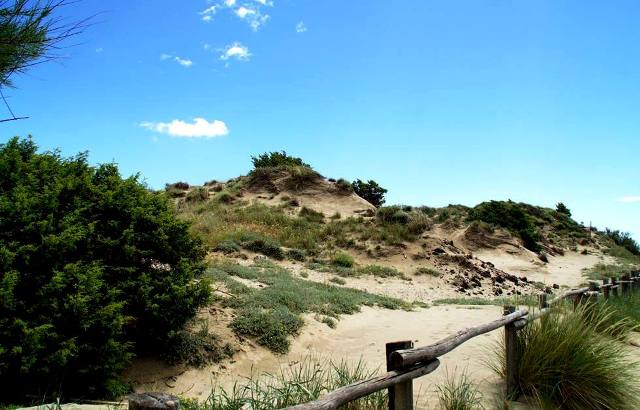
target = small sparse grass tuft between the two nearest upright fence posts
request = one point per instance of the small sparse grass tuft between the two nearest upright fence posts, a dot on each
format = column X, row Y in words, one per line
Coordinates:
column 459, row 393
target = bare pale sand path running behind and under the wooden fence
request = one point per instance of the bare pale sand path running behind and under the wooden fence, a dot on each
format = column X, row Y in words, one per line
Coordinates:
column 360, row 336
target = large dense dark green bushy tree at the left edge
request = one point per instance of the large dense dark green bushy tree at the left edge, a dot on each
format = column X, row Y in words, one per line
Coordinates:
column 93, row 268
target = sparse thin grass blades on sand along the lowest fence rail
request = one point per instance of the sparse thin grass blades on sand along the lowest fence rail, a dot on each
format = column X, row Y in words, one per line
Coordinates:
column 301, row 383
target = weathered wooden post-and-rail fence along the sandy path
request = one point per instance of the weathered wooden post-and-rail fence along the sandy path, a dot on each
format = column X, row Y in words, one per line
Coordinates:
column 406, row 362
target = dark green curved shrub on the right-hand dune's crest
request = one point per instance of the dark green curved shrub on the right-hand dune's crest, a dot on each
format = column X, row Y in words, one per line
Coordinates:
column 510, row 216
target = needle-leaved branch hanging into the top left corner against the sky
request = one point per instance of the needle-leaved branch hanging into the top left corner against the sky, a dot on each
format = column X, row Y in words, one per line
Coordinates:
column 29, row 35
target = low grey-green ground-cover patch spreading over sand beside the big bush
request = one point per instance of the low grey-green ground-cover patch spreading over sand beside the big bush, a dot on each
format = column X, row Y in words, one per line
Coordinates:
column 272, row 314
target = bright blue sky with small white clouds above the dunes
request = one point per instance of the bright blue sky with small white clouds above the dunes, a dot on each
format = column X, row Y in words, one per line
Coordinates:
column 439, row 101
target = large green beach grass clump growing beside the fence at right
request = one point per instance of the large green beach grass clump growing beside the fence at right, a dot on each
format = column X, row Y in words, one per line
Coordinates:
column 564, row 361
